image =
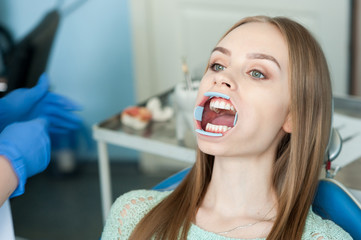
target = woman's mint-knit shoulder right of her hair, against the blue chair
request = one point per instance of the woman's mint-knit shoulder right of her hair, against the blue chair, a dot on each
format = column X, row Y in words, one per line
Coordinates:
column 317, row 228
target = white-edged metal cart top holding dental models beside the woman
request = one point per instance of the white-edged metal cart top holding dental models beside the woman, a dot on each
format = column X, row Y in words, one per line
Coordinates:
column 157, row 138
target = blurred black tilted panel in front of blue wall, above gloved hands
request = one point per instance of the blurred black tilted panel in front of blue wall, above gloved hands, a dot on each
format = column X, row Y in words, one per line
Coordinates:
column 29, row 58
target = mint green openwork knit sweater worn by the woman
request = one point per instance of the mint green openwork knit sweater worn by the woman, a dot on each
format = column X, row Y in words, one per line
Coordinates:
column 131, row 207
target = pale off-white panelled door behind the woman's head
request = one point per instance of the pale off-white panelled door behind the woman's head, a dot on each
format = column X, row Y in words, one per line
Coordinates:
column 191, row 28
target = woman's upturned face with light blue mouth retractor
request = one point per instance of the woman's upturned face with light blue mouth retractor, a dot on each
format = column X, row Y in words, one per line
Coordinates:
column 243, row 99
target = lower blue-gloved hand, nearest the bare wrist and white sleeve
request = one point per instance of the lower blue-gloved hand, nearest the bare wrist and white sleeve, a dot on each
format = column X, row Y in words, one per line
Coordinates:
column 27, row 147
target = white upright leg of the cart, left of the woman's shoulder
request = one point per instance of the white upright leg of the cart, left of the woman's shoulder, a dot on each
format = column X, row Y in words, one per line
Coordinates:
column 104, row 177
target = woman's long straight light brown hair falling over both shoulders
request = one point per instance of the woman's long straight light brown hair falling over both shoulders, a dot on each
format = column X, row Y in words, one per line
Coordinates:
column 299, row 156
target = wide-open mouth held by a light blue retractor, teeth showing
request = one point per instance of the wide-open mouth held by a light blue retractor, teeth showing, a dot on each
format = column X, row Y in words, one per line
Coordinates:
column 215, row 115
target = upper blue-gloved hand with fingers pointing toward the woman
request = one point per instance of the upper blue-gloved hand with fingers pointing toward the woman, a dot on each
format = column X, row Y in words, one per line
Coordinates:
column 28, row 103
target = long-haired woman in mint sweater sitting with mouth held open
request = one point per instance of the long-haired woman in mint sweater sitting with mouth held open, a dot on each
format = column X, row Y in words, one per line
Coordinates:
column 262, row 116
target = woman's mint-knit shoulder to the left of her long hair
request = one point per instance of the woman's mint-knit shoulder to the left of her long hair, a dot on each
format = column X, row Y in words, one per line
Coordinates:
column 128, row 210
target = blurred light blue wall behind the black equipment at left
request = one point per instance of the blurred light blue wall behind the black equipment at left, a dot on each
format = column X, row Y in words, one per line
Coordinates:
column 91, row 59
